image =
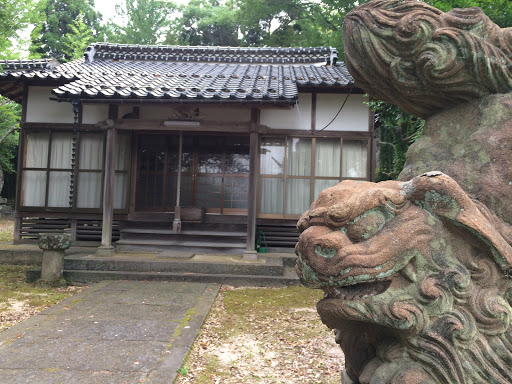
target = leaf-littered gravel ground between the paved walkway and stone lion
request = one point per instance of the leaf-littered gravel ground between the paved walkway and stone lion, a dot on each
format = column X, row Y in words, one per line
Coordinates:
column 272, row 345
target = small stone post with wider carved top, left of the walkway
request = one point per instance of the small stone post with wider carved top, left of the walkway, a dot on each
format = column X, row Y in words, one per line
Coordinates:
column 53, row 246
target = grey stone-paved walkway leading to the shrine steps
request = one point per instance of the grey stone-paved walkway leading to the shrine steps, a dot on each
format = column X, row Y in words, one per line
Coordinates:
column 113, row 332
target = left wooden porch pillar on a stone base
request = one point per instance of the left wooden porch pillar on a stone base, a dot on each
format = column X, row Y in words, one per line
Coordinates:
column 106, row 248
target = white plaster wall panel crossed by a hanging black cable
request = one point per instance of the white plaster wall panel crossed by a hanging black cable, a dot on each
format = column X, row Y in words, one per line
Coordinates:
column 353, row 116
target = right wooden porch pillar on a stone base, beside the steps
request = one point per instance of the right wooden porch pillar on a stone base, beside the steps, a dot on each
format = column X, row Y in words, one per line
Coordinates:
column 250, row 253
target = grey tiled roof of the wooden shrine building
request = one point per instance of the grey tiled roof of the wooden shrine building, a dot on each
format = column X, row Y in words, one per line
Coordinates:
column 191, row 73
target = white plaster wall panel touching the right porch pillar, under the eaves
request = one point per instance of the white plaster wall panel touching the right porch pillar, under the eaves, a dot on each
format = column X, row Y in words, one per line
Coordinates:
column 299, row 117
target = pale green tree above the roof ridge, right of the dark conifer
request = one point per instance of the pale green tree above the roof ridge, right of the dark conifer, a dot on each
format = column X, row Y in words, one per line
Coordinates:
column 144, row 22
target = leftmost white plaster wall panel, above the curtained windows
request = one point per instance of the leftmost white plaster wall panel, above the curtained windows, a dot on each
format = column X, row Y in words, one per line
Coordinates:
column 40, row 109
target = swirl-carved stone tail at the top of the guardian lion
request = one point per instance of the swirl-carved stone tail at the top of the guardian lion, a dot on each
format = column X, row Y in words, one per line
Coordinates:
column 423, row 60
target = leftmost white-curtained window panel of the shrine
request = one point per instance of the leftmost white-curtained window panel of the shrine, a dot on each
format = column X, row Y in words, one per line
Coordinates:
column 34, row 182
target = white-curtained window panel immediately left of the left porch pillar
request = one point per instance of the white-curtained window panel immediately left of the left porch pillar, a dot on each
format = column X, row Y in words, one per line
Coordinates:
column 90, row 158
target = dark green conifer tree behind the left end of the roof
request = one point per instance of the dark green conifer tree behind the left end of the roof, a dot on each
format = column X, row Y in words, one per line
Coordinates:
column 56, row 21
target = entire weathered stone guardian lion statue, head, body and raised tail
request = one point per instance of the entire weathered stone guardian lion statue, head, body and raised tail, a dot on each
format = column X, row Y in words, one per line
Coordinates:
column 417, row 274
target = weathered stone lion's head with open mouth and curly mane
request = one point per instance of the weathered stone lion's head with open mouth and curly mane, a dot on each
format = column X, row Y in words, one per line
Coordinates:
column 416, row 281
